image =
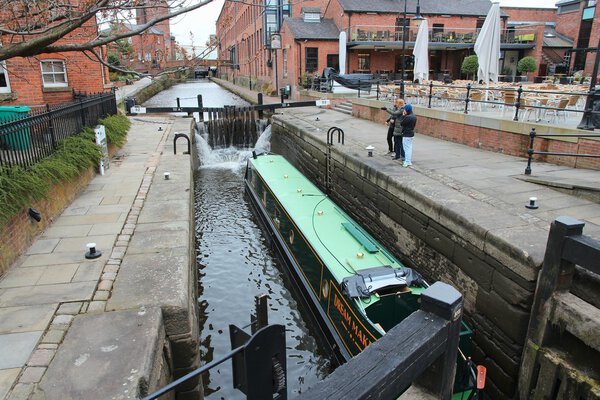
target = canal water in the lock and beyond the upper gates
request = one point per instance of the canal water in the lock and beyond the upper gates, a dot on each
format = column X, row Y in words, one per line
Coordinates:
column 235, row 263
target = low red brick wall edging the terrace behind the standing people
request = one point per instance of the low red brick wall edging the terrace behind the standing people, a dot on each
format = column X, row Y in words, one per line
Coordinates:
column 505, row 142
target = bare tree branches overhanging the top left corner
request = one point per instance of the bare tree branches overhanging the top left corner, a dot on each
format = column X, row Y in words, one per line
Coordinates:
column 32, row 27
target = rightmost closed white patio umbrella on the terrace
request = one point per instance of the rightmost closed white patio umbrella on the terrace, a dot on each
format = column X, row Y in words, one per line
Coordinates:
column 487, row 46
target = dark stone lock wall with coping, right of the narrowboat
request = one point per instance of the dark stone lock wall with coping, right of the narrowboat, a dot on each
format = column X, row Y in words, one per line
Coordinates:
column 442, row 239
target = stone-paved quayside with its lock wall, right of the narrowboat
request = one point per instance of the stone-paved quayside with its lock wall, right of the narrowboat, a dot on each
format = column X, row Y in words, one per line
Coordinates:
column 458, row 215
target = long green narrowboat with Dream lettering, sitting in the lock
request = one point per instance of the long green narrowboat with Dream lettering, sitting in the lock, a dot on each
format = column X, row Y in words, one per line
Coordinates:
column 354, row 288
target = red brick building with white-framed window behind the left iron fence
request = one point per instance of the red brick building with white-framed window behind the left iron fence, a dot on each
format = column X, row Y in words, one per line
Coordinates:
column 52, row 78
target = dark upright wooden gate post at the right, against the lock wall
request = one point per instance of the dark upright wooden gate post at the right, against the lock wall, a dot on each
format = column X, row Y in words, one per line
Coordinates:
column 556, row 275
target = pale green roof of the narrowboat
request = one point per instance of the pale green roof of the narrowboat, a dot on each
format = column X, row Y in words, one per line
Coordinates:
column 344, row 246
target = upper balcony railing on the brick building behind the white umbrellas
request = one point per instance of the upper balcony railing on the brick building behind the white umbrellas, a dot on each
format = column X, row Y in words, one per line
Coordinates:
column 376, row 33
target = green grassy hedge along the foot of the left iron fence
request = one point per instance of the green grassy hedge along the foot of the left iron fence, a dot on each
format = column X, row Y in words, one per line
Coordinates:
column 19, row 186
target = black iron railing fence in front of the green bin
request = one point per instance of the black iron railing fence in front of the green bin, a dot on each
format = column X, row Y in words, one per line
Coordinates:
column 28, row 134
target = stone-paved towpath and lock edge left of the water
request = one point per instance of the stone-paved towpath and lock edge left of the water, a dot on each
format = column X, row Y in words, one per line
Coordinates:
column 125, row 323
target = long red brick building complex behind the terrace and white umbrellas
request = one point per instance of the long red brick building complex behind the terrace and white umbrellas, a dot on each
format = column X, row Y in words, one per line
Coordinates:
column 376, row 41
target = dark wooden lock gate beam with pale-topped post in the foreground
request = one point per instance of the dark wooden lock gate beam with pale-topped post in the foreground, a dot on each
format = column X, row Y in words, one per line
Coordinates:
column 427, row 337
